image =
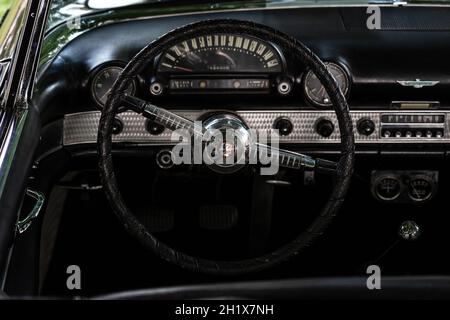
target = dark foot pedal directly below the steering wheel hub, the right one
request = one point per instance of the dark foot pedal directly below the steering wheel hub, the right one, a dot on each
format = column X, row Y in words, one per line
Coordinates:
column 220, row 217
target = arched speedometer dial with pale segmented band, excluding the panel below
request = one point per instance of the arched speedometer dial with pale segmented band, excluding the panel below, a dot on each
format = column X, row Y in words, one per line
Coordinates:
column 221, row 53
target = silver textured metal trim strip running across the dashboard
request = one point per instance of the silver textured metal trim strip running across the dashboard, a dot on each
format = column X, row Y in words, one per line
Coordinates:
column 81, row 128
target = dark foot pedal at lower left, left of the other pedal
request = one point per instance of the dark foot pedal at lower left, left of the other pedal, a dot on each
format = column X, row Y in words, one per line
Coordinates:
column 156, row 219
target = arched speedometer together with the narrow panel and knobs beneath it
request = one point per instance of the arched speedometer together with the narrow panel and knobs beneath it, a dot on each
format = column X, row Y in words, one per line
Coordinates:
column 220, row 63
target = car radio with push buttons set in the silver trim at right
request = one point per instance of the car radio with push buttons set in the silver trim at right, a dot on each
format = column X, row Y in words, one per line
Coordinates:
column 412, row 125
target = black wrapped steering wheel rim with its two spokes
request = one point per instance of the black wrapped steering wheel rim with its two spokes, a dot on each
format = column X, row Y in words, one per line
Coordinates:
column 343, row 169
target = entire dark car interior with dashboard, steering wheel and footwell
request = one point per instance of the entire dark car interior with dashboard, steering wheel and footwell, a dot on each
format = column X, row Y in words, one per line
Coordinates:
column 386, row 206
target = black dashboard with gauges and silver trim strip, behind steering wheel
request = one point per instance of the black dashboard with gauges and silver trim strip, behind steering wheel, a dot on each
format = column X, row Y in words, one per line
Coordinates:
column 395, row 79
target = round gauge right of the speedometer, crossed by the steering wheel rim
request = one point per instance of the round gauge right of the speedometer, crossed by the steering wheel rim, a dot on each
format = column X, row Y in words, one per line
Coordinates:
column 316, row 93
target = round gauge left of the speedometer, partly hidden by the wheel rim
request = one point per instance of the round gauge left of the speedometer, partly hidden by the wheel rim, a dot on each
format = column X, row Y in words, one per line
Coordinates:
column 103, row 82
